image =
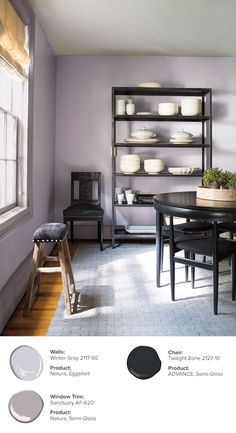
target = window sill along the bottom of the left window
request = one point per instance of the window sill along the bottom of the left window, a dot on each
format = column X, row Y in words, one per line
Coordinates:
column 13, row 218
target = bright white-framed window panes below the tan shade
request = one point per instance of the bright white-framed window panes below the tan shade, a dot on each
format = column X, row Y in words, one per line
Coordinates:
column 13, row 144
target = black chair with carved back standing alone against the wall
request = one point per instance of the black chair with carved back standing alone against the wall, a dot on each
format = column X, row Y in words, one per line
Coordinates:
column 85, row 202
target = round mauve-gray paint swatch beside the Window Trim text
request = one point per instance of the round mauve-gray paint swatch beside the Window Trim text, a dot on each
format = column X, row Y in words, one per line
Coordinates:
column 25, row 406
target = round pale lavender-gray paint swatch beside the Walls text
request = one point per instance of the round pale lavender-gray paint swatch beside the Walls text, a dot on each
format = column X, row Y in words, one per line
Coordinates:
column 26, row 363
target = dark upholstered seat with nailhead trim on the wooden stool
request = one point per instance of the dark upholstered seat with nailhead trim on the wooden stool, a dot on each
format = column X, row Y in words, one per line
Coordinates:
column 50, row 232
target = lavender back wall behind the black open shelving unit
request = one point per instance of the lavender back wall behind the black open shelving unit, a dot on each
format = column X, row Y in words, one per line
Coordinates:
column 83, row 120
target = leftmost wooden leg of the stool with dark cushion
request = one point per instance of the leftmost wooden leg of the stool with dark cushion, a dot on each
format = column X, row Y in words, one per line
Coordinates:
column 31, row 286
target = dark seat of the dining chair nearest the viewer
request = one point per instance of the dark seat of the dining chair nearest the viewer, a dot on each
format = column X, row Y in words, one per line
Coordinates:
column 203, row 245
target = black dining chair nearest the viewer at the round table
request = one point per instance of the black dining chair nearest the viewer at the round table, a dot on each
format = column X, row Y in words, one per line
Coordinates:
column 212, row 246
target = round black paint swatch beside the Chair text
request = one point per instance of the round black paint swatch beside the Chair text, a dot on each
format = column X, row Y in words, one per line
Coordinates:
column 143, row 362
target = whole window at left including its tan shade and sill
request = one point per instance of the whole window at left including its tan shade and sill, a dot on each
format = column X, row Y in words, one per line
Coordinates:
column 14, row 83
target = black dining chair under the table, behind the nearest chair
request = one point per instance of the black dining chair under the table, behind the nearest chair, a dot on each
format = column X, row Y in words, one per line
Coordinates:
column 182, row 228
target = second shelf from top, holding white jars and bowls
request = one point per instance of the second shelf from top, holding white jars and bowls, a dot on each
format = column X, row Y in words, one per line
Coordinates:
column 156, row 117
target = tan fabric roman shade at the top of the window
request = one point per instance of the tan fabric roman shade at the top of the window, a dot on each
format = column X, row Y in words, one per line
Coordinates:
column 13, row 55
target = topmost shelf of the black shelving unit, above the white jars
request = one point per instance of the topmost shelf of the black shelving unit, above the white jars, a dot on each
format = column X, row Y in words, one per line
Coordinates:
column 159, row 91
